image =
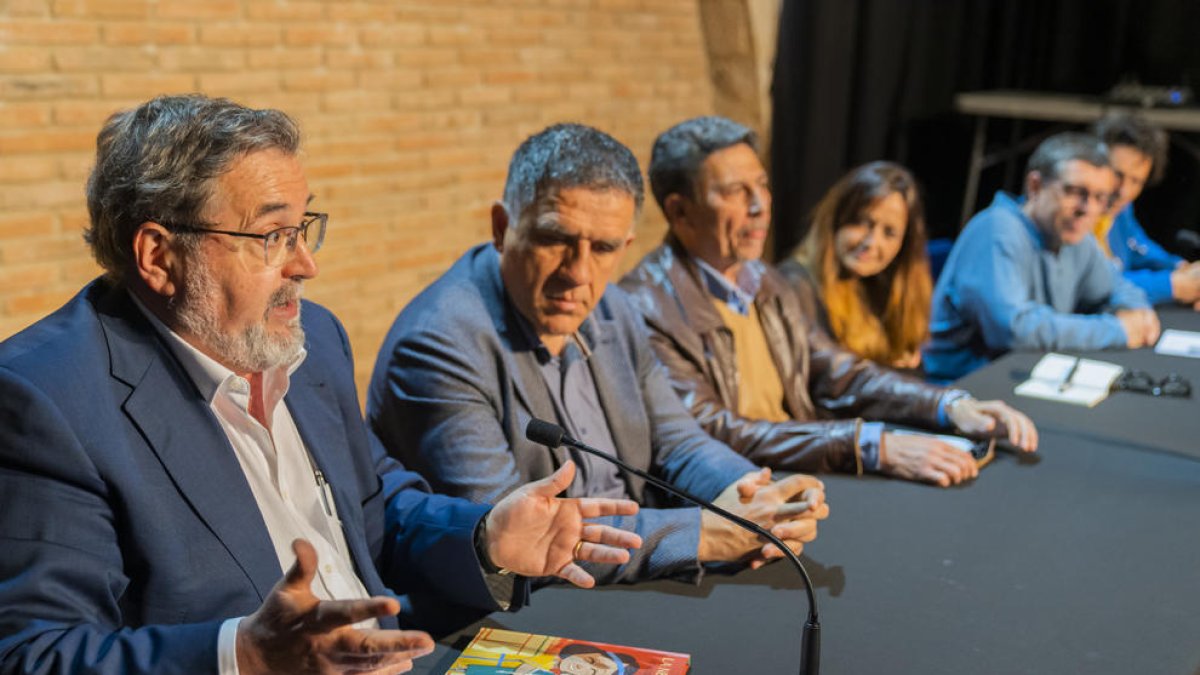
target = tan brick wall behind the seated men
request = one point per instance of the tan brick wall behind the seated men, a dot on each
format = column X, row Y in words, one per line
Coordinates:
column 411, row 111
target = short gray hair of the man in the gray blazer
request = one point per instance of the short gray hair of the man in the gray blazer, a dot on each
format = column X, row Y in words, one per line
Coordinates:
column 565, row 157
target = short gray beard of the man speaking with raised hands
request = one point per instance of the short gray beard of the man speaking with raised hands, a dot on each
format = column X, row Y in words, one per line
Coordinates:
column 254, row 350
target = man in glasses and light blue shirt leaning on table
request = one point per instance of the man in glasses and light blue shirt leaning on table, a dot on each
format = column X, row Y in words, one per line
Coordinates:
column 1027, row 274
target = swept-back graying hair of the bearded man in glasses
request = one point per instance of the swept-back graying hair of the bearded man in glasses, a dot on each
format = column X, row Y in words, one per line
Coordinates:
column 159, row 163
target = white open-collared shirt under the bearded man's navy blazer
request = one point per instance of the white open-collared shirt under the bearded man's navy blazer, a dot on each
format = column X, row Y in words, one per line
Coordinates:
column 280, row 473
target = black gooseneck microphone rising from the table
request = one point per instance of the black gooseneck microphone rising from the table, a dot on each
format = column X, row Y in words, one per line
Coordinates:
column 553, row 437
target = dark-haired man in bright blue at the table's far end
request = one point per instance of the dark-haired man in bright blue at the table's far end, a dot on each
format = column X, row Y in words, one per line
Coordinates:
column 1138, row 152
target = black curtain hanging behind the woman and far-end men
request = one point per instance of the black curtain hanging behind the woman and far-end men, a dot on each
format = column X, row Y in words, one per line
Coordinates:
column 867, row 80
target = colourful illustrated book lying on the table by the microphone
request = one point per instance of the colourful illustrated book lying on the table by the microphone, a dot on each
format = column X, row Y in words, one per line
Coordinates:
column 509, row 653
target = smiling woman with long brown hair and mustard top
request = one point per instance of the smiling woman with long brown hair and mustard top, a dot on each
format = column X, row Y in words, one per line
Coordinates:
column 863, row 267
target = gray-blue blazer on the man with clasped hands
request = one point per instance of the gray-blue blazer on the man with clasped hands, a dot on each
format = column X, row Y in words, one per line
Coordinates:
column 457, row 381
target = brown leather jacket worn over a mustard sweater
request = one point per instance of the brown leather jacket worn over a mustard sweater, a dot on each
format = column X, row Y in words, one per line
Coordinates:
column 827, row 390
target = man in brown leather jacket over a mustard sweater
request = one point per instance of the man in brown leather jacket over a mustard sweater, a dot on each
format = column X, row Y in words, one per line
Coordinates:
column 743, row 357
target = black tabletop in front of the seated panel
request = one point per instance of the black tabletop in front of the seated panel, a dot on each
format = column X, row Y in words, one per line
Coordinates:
column 1083, row 559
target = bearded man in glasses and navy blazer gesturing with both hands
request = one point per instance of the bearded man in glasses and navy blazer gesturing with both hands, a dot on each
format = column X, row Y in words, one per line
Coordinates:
column 187, row 483
